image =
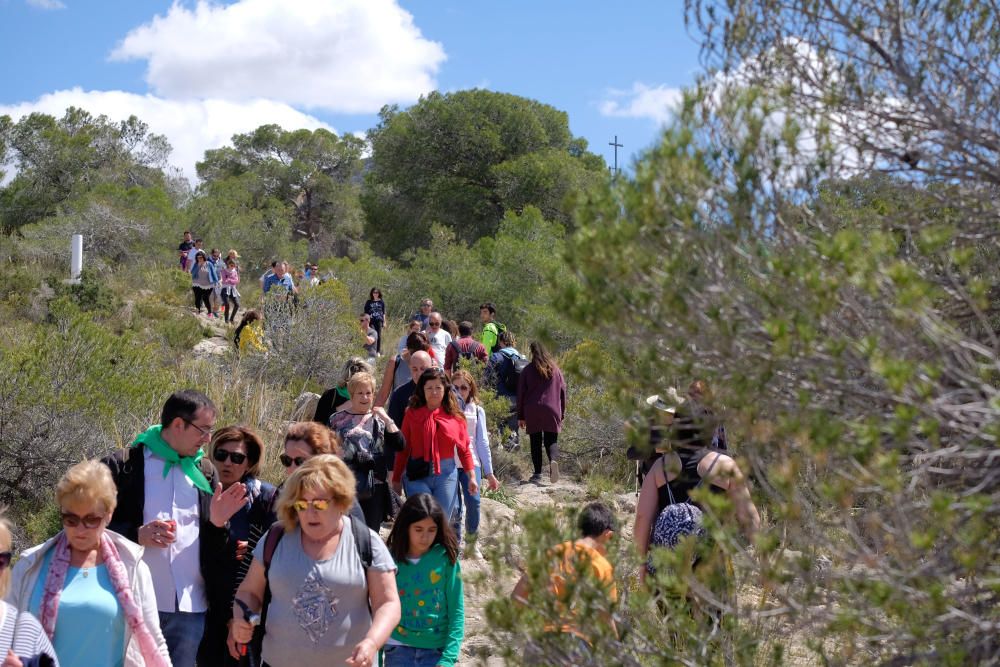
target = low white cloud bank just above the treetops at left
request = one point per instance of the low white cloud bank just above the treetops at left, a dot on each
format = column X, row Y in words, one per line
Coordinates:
column 191, row 126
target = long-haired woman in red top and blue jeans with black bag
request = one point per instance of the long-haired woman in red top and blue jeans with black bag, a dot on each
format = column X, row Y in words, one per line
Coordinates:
column 434, row 429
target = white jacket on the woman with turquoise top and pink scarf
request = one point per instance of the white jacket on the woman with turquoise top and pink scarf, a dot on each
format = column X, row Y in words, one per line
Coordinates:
column 24, row 578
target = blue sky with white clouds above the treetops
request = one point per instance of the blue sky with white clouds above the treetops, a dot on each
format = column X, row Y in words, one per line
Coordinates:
column 200, row 72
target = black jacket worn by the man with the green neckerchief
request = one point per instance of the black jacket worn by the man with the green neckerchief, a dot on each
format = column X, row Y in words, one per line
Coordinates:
column 128, row 468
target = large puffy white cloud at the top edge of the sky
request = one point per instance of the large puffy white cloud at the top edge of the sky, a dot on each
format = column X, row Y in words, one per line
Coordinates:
column 350, row 56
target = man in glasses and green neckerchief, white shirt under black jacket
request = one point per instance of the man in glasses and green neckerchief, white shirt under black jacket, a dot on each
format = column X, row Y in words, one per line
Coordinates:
column 170, row 501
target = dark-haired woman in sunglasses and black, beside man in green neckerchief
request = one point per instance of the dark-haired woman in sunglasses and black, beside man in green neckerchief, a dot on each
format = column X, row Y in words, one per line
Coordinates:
column 236, row 452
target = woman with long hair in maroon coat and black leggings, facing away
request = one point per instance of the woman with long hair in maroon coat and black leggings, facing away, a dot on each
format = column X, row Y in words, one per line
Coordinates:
column 541, row 406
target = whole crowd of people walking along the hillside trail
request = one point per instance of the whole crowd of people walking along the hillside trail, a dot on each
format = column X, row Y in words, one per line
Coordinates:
column 174, row 551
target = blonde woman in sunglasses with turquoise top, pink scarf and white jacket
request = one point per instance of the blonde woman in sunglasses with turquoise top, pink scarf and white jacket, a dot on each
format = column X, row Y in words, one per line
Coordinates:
column 88, row 585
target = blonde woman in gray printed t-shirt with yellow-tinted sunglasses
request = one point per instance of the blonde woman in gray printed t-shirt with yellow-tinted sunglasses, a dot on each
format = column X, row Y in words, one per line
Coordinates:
column 326, row 606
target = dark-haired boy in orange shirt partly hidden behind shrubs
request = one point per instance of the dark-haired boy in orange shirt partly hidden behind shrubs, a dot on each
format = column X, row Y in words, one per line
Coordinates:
column 582, row 558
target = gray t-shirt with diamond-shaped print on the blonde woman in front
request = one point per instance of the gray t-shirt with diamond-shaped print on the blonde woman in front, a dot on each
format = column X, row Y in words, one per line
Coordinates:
column 319, row 609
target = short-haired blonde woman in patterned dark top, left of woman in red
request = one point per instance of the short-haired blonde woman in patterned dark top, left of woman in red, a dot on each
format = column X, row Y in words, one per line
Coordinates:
column 369, row 440
